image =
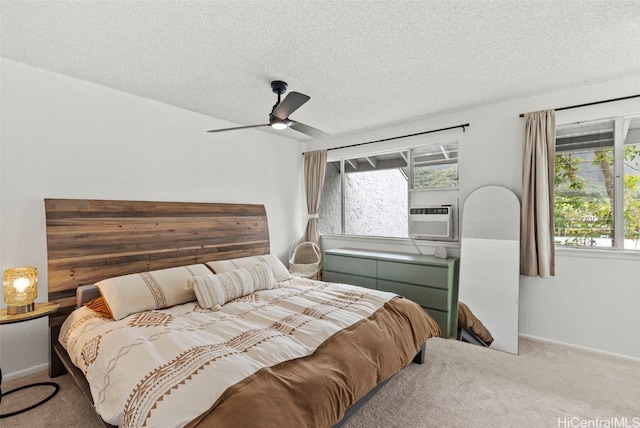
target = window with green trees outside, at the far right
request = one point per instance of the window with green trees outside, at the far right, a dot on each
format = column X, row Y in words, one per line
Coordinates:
column 597, row 184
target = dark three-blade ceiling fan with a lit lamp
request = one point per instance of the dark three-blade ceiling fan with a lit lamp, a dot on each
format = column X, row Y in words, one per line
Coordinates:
column 279, row 116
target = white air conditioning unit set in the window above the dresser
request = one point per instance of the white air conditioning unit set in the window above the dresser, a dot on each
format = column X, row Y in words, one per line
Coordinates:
column 431, row 222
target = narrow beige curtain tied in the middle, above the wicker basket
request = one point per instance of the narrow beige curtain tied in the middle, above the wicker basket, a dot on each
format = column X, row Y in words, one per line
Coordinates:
column 315, row 164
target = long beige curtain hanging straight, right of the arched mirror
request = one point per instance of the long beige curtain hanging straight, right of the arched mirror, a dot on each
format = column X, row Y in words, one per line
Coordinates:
column 537, row 254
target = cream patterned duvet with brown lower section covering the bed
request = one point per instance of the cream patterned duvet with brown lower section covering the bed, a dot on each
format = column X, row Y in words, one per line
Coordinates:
column 177, row 366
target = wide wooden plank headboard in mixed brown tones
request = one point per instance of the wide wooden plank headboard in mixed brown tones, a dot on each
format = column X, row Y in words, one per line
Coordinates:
column 91, row 240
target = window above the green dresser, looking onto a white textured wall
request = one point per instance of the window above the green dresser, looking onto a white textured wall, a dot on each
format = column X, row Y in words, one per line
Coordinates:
column 371, row 198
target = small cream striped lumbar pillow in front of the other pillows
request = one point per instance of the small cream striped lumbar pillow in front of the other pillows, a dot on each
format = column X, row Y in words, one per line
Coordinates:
column 214, row 290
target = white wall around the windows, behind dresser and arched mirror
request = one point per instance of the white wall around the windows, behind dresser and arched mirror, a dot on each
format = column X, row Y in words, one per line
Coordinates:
column 593, row 300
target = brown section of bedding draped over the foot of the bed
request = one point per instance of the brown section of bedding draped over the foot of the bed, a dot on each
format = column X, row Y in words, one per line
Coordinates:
column 317, row 390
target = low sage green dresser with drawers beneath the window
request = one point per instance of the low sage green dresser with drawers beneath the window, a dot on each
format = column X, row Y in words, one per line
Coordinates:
column 429, row 281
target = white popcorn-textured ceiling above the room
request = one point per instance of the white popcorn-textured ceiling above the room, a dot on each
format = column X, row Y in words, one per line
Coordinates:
column 365, row 64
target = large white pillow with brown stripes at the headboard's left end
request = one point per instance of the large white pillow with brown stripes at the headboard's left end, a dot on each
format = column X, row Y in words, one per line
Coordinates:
column 146, row 291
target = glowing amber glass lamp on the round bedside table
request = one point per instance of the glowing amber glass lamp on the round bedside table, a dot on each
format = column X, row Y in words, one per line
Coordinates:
column 20, row 289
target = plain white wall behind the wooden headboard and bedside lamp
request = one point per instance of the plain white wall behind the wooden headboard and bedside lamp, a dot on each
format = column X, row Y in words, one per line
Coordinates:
column 65, row 138
